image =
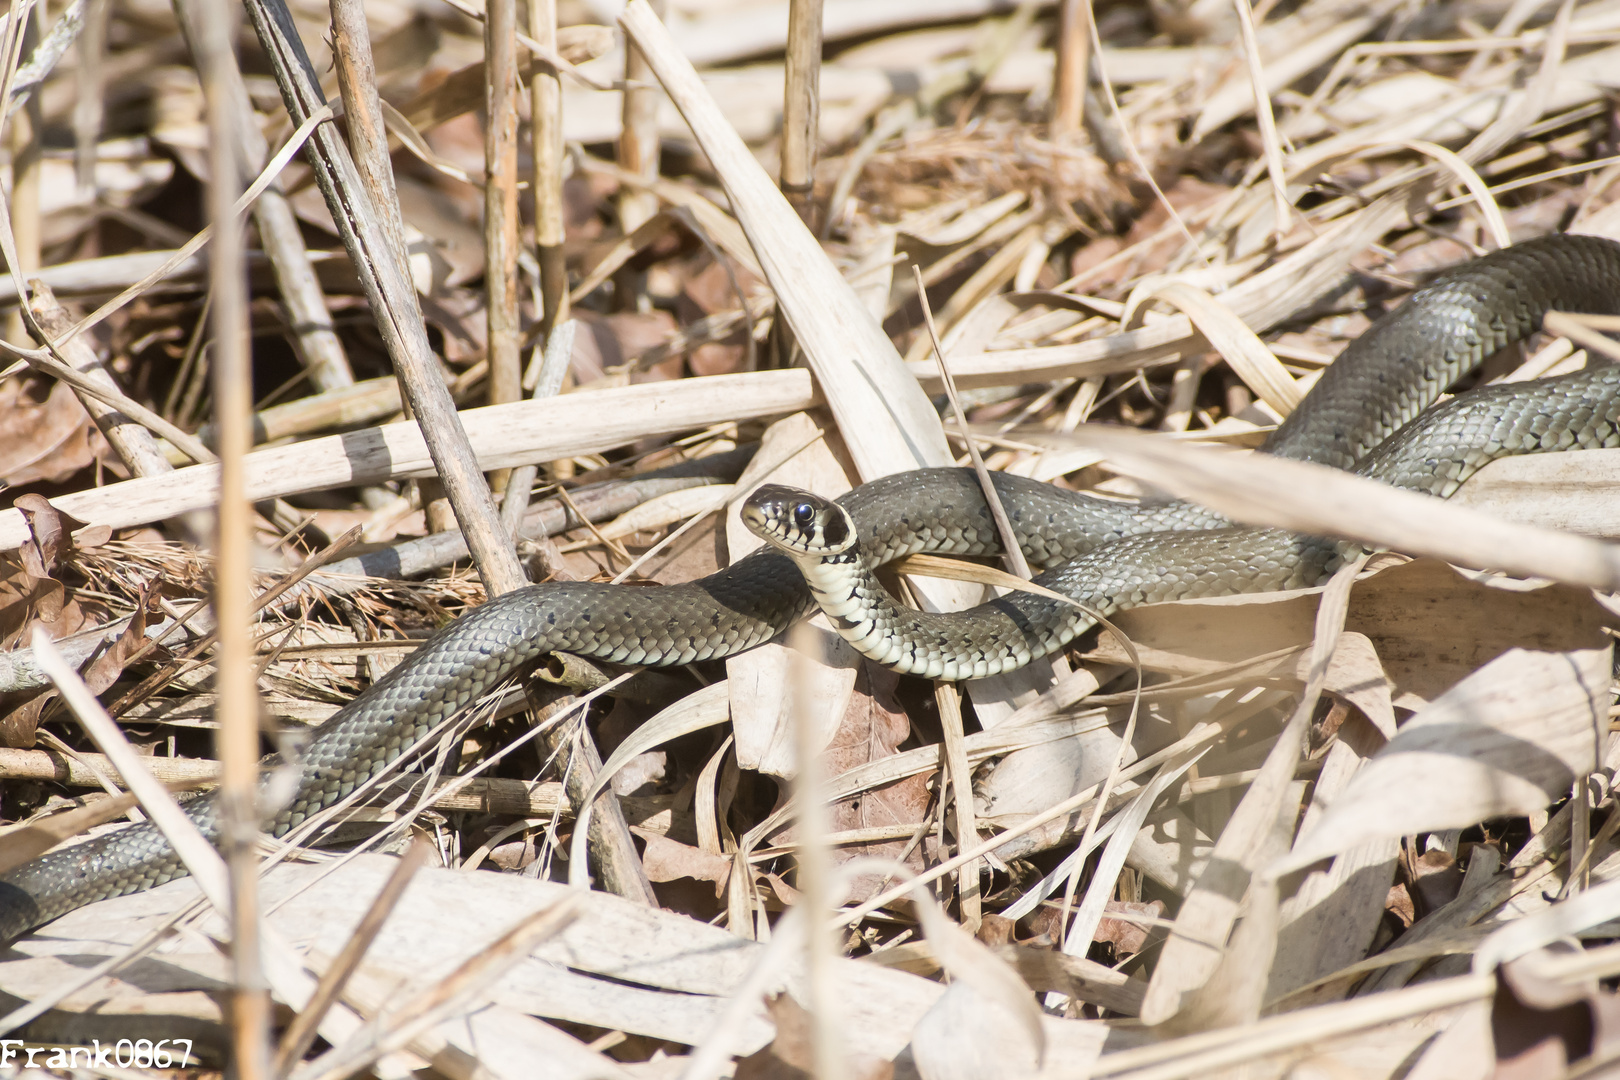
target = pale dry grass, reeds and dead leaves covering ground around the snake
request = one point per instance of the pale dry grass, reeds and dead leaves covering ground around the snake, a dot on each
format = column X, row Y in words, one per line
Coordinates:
column 1337, row 833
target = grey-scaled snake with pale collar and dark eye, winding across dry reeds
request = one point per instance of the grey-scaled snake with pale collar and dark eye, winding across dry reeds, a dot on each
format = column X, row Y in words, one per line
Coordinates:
column 1373, row 412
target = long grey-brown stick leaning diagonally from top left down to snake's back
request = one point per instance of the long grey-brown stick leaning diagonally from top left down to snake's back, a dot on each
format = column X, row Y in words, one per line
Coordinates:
column 393, row 299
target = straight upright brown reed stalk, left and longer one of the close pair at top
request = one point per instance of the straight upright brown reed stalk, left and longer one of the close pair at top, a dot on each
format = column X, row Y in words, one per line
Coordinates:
column 501, row 221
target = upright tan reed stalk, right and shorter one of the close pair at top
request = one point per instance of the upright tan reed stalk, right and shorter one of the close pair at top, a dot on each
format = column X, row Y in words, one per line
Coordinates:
column 545, row 119
